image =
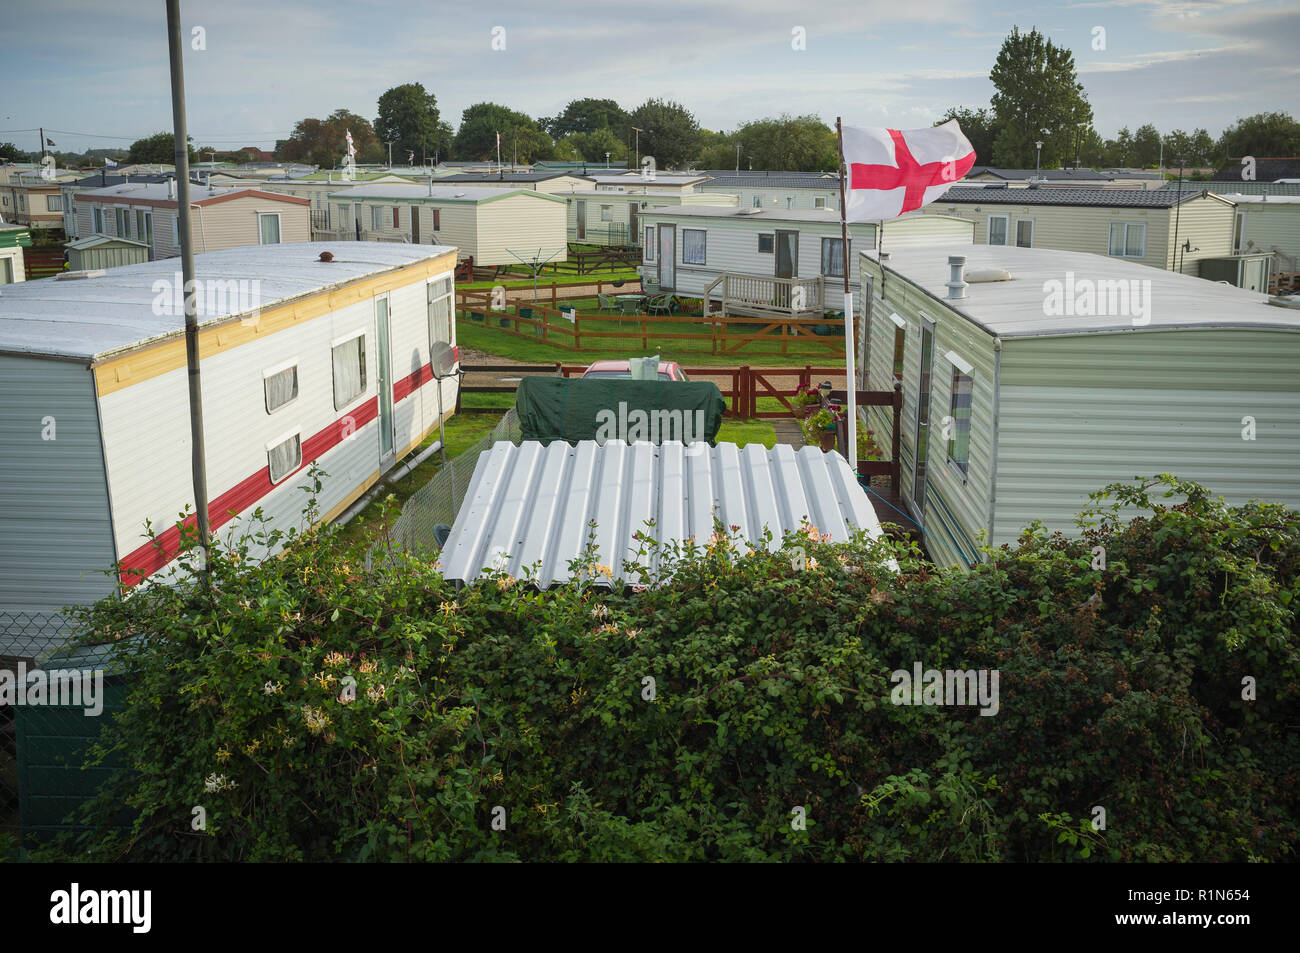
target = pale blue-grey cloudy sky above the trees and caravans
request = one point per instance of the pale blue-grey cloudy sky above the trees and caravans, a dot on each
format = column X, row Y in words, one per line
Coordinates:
column 98, row 70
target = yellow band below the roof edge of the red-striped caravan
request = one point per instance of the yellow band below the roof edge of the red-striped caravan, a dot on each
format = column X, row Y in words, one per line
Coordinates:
column 153, row 361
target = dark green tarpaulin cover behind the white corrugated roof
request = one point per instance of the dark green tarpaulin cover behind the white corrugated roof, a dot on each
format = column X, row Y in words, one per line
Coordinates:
column 604, row 409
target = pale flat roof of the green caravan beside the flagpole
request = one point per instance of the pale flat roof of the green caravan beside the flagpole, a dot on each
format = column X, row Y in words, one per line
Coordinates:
column 1025, row 306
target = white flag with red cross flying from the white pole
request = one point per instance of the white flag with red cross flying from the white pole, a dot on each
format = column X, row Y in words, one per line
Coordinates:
column 891, row 172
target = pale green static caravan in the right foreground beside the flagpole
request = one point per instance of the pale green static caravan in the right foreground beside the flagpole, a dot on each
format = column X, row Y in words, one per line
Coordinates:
column 1033, row 378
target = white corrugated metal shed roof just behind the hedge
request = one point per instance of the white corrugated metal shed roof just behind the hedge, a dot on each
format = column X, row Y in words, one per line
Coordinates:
column 531, row 505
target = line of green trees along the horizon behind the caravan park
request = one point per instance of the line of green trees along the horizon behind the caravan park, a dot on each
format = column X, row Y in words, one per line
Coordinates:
column 1038, row 118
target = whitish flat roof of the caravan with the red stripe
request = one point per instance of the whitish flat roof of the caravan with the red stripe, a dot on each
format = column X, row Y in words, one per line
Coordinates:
column 92, row 319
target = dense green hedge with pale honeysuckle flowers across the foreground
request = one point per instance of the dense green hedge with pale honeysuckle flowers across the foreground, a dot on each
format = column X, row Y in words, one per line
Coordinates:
column 1120, row 688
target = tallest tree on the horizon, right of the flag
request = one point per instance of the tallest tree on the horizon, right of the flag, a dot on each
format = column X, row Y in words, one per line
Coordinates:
column 1038, row 99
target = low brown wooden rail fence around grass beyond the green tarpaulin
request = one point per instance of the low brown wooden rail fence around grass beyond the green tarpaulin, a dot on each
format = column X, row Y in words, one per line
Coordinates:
column 567, row 330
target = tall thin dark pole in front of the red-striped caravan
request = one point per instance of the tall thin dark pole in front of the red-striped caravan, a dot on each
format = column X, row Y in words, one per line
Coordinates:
column 192, row 317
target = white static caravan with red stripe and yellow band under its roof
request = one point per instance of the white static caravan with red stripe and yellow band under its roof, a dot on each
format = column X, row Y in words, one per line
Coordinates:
column 302, row 362
